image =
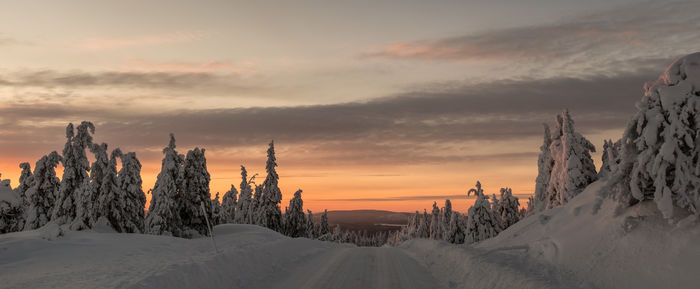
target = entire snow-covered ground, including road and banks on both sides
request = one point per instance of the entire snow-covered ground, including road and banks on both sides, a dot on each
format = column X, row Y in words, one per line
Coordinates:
column 566, row 247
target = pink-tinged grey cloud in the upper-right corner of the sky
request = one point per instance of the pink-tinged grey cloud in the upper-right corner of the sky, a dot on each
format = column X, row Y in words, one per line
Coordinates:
column 653, row 29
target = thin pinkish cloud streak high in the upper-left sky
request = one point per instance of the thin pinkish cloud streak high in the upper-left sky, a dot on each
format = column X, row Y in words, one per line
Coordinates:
column 105, row 43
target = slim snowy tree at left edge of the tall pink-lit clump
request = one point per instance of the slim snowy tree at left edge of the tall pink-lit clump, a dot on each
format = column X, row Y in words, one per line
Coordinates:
column 545, row 163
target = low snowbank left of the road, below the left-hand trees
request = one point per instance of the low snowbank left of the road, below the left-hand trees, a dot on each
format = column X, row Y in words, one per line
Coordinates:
column 250, row 257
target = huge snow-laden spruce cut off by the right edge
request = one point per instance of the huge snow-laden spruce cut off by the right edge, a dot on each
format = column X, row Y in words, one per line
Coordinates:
column 660, row 158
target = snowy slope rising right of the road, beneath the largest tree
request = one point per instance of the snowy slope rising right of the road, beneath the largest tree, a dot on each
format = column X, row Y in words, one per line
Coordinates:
column 569, row 247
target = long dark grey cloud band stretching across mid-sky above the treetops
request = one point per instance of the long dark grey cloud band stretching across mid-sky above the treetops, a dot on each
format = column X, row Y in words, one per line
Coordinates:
column 428, row 125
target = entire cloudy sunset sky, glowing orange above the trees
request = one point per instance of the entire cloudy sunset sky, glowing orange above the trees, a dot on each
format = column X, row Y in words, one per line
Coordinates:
column 371, row 104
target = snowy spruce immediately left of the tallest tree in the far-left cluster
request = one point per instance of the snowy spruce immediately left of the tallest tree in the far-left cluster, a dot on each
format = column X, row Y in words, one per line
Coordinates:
column 41, row 192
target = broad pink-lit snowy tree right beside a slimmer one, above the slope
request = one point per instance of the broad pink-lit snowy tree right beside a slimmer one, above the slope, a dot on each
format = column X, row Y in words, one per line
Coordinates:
column 573, row 167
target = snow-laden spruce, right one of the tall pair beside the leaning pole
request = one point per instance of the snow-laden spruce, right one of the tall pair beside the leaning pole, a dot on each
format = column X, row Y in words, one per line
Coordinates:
column 193, row 194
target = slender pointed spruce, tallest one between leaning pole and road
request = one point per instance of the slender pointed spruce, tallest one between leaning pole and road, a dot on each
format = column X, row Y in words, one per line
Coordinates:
column 271, row 216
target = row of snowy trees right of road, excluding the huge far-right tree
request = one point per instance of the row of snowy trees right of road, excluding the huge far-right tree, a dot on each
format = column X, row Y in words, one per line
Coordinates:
column 565, row 168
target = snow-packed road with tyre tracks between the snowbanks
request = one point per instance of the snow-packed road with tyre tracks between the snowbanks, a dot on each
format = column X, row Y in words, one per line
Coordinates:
column 361, row 268
